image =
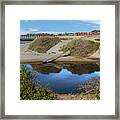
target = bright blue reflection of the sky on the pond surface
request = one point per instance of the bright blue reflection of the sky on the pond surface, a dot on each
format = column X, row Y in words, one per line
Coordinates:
column 64, row 81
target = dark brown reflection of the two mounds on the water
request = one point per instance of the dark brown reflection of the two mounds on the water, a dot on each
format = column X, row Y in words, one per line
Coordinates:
column 80, row 68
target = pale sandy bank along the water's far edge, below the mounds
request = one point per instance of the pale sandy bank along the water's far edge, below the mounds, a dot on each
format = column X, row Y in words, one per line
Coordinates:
column 31, row 57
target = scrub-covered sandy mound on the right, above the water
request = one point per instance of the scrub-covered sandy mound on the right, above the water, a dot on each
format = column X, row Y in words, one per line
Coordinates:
column 81, row 48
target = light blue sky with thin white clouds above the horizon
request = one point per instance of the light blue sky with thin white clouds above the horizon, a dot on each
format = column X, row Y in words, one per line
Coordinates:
column 58, row 26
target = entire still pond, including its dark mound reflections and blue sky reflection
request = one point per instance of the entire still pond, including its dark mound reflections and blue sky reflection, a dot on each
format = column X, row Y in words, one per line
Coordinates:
column 64, row 77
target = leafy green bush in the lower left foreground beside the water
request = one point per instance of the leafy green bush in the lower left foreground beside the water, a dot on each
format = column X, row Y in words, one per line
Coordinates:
column 30, row 89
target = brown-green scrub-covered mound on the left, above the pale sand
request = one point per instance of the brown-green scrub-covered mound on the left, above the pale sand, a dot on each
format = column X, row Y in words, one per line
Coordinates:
column 42, row 44
